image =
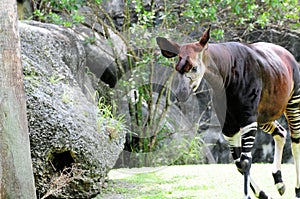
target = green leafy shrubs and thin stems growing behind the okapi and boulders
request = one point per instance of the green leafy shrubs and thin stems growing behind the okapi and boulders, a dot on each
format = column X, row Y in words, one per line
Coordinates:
column 139, row 24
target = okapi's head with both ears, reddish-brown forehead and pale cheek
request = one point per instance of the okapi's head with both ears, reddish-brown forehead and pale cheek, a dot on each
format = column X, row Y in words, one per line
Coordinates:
column 190, row 63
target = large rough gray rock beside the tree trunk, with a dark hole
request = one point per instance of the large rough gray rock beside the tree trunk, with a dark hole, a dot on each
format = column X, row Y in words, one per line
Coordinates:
column 73, row 146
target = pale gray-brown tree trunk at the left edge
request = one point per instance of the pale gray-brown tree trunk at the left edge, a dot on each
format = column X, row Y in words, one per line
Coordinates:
column 16, row 175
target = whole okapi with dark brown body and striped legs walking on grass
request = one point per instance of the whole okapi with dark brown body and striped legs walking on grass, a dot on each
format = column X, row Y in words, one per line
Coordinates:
column 253, row 85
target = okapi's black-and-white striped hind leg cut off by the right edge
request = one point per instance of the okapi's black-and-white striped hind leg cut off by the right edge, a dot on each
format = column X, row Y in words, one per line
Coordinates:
column 293, row 117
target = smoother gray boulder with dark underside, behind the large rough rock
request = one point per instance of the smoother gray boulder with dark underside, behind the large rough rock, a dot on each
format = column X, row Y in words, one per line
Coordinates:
column 101, row 54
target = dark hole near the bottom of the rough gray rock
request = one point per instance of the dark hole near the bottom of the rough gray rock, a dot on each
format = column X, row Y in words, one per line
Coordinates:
column 62, row 160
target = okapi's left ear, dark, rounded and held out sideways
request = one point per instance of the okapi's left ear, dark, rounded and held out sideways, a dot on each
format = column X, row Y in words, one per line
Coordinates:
column 168, row 49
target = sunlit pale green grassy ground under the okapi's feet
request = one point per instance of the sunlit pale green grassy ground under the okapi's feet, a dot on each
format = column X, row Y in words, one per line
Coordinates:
column 194, row 181
